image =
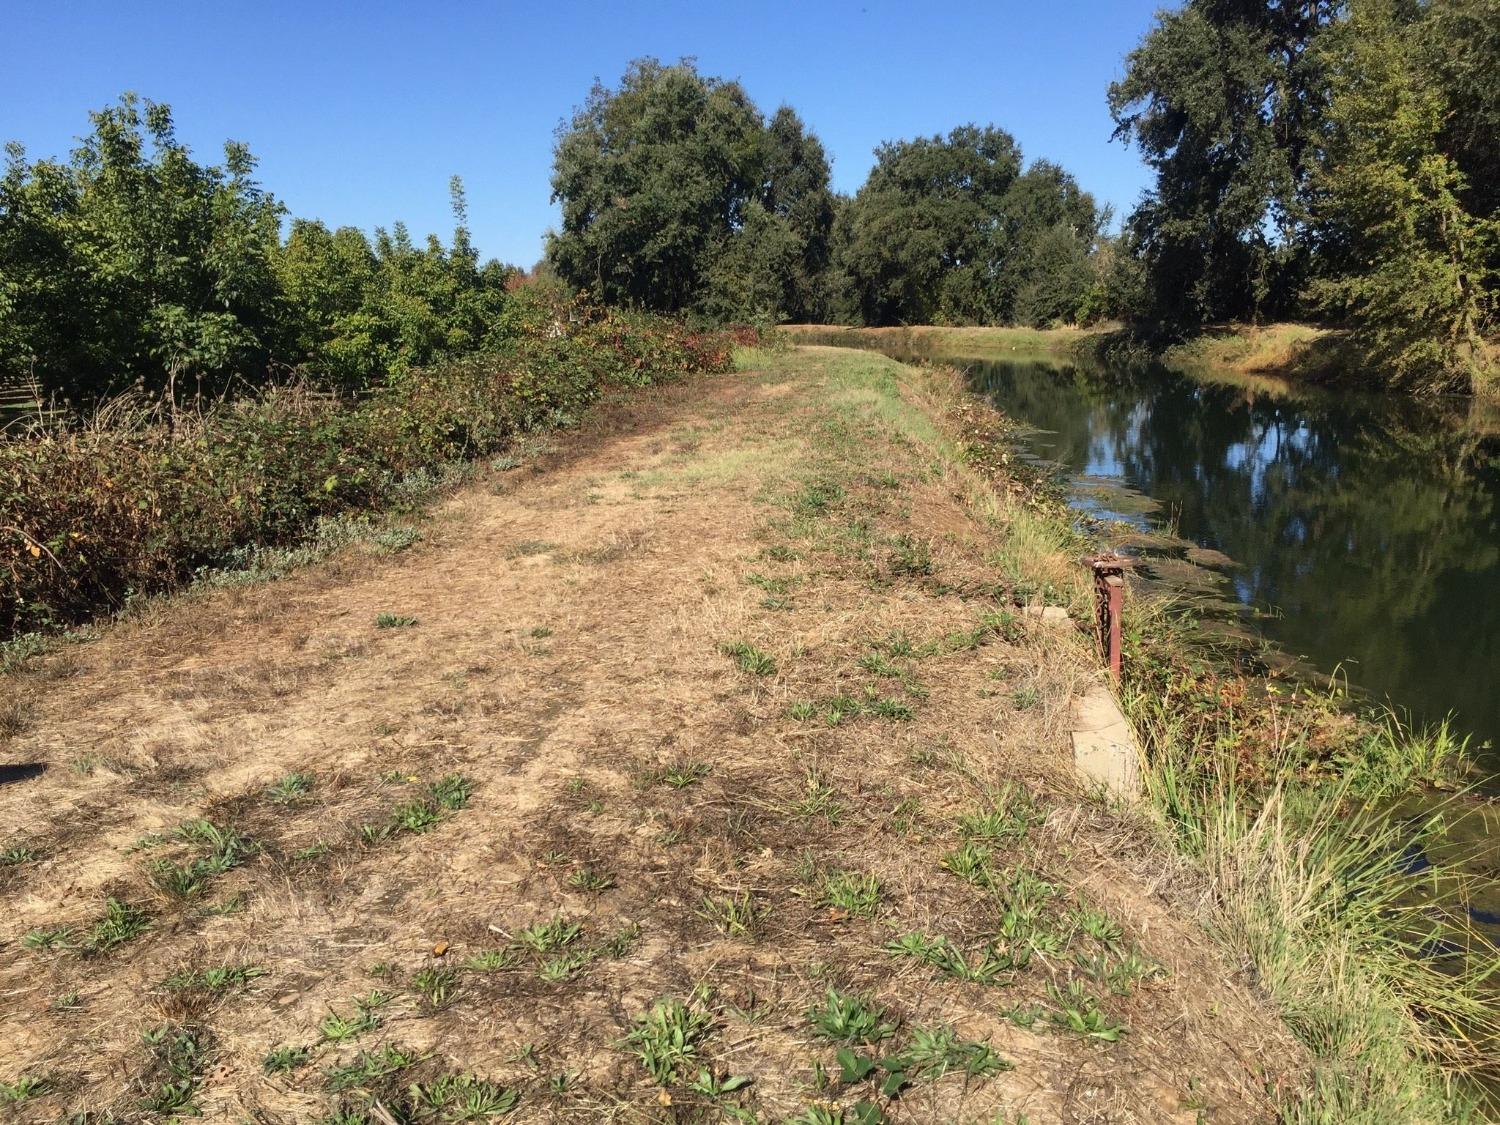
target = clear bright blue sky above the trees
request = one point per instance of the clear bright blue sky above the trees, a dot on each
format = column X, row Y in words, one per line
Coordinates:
column 361, row 112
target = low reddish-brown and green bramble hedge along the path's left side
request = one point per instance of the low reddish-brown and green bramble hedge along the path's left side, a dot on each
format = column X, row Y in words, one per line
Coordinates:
column 142, row 499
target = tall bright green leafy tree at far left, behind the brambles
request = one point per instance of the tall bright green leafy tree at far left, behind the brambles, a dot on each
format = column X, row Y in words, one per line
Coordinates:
column 164, row 266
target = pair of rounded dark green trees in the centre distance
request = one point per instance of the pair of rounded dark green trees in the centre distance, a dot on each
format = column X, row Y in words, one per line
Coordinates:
column 680, row 196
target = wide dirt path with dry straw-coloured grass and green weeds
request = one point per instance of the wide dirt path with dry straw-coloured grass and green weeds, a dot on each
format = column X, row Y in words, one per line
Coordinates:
column 692, row 709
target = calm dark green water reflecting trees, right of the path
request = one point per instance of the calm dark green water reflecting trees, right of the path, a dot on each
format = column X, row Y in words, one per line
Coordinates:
column 1361, row 532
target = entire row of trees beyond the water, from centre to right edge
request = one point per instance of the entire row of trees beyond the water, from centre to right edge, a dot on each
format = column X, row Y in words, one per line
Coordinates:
column 1333, row 161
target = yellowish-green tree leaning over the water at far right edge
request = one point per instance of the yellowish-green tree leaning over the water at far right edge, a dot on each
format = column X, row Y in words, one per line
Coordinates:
column 1403, row 260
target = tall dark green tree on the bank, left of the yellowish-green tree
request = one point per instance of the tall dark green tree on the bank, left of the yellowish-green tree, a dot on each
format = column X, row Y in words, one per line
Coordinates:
column 1223, row 100
